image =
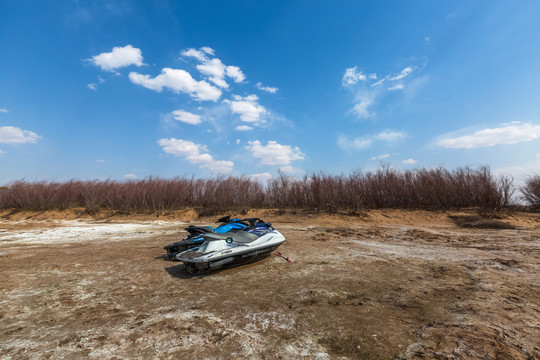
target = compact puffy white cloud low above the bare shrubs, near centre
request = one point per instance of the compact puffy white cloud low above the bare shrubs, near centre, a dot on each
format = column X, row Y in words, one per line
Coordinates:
column 274, row 153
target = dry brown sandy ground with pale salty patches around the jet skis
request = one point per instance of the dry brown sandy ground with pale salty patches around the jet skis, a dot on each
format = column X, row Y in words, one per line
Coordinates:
column 377, row 285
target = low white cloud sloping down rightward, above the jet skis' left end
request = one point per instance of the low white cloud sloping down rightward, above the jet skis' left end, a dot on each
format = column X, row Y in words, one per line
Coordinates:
column 195, row 154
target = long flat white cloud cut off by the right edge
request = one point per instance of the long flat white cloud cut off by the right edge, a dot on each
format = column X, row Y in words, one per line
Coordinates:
column 504, row 135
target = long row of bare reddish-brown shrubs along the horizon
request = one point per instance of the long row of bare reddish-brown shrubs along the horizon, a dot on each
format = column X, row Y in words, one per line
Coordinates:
column 434, row 189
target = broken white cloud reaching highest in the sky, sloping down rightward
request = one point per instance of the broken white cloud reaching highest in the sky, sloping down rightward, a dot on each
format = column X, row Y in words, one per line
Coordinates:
column 214, row 69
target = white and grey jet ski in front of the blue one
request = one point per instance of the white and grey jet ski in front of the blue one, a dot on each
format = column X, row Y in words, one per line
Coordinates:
column 236, row 246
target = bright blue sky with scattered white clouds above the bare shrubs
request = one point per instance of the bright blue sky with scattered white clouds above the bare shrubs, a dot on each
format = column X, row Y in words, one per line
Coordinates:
column 126, row 90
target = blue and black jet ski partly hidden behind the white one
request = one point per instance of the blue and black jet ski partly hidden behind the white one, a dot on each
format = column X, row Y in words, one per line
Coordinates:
column 195, row 235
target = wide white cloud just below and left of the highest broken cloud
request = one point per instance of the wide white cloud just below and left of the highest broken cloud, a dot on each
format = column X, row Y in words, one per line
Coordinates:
column 178, row 81
